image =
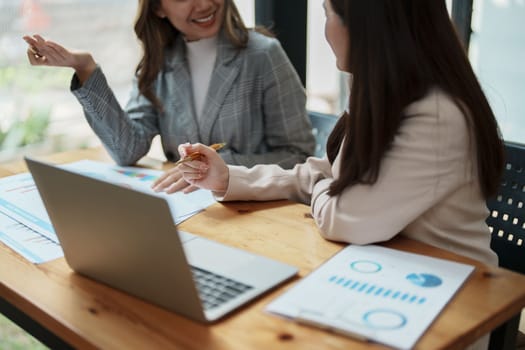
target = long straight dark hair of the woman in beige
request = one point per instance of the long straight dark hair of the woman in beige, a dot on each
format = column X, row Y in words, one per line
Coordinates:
column 398, row 50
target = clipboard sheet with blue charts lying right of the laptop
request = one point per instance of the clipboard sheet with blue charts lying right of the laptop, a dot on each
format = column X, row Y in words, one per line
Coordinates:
column 374, row 293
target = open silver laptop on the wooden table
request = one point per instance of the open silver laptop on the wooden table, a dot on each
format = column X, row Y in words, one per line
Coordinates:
column 126, row 239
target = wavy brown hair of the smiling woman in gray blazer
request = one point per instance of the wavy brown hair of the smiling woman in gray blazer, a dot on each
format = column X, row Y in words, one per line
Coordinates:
column 156, row 34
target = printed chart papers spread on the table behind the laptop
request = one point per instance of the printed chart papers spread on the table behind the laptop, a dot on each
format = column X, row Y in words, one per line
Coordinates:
column 27, row 229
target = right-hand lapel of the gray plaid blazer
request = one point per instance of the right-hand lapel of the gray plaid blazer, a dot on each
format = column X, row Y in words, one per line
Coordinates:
column 227, row 67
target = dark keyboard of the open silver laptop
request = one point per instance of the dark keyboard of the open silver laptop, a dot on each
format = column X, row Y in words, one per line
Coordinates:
column 214, row 289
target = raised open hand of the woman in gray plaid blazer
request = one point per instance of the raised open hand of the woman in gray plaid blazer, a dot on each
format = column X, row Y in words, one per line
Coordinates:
column 43, row 52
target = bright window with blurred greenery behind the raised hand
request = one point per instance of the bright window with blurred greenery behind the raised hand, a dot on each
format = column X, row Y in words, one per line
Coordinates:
column 36, row 107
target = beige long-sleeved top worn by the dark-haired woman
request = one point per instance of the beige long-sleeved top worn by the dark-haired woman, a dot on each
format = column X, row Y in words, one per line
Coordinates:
column 427, row 187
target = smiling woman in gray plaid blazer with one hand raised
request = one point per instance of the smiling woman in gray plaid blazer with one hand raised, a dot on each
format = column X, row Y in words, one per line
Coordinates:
column 255, row 101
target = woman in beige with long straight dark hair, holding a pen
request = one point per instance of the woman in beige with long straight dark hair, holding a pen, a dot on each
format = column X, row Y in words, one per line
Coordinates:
column 417, row 152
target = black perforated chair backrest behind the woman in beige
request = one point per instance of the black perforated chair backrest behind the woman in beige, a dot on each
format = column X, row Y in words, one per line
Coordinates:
column 507, row 211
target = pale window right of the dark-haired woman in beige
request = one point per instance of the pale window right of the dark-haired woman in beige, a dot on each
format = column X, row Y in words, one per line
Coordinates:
column 497, row 53
